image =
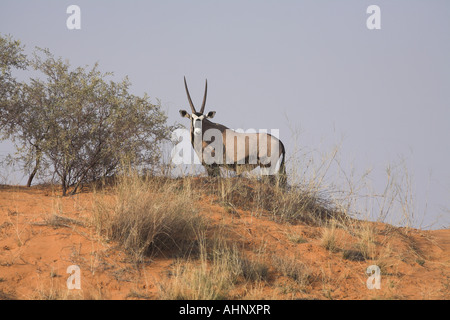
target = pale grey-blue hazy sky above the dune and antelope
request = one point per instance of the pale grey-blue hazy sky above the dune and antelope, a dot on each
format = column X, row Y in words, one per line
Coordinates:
column 313, row 65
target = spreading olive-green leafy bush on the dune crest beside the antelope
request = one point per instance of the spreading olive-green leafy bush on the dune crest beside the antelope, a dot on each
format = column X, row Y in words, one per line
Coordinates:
column 74, row 124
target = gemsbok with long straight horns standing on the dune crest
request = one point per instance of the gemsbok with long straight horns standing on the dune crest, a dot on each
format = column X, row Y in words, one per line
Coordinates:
column 218, row 146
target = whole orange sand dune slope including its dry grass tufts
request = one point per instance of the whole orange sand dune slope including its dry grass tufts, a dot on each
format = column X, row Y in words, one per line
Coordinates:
column 151, row 237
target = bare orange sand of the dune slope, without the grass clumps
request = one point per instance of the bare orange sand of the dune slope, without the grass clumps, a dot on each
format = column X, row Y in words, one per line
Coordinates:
column 41, row 234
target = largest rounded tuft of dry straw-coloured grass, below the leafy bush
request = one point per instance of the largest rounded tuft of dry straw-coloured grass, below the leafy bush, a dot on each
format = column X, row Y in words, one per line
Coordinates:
column 147, row 214
